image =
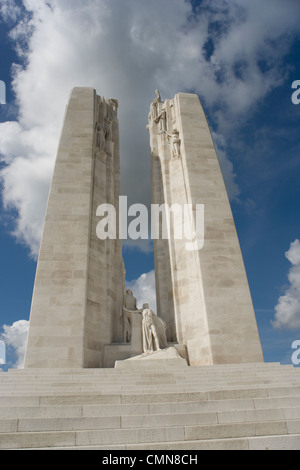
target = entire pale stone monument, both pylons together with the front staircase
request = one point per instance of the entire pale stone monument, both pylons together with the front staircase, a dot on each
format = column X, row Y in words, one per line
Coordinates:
column 139, row 392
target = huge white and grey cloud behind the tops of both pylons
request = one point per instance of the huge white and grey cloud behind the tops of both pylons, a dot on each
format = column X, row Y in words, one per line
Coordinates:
column 228, row 52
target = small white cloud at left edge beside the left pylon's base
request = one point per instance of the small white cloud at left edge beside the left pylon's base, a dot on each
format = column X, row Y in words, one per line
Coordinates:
column 15, row 337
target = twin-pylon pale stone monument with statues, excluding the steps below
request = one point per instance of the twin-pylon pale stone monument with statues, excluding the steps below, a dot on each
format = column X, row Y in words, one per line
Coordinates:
column 82, row 316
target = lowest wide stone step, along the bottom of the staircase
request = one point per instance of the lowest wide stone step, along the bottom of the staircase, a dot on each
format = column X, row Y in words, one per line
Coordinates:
column 144, row 436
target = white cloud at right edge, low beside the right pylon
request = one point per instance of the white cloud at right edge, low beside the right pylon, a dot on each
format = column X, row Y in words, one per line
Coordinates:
column 287, row 310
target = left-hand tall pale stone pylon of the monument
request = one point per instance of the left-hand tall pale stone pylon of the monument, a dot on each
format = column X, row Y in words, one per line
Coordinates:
column 78, row 289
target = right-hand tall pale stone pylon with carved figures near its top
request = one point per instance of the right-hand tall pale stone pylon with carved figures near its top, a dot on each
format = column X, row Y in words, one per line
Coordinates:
column 202, row 294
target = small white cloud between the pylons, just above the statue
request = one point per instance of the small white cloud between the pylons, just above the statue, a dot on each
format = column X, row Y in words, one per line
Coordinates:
column 144, row 290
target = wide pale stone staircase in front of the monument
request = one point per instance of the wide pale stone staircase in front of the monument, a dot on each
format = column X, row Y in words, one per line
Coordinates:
column 249, row 406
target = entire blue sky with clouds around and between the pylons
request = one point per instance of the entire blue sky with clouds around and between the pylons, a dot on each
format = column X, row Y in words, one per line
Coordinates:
column 241, row 57
